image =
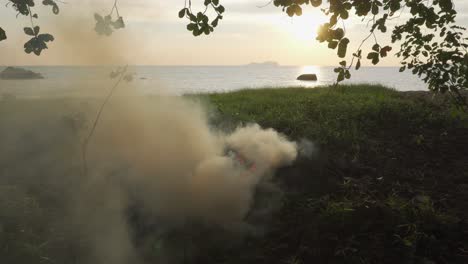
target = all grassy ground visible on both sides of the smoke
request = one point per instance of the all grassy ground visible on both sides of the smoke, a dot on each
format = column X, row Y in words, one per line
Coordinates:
column 388, row 183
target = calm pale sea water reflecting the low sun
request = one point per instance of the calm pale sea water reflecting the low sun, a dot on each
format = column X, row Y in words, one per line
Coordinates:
column 88, row 81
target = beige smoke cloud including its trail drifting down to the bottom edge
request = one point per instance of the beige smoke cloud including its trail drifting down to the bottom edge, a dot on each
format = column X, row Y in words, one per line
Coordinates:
column 160, row 157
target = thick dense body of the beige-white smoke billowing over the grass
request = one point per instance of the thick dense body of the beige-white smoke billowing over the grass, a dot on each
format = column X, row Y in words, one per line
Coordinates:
column 177, row 164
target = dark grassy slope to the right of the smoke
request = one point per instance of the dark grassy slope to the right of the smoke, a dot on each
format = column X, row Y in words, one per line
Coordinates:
column 389, row 183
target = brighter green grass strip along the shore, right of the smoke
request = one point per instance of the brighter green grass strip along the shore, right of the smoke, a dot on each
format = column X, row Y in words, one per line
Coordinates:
column 343, row 116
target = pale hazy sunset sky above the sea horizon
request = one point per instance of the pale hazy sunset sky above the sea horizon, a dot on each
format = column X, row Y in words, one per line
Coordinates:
column 154, row 35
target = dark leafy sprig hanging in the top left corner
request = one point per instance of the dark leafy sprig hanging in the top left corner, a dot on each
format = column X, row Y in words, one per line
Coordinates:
column 38, row 42
